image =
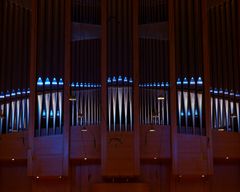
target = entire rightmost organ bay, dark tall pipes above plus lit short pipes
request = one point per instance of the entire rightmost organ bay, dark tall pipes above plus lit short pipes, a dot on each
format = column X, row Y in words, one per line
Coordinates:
column 224, row 29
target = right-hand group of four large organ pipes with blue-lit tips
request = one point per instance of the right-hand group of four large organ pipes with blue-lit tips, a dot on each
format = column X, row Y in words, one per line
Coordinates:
column 190, row 106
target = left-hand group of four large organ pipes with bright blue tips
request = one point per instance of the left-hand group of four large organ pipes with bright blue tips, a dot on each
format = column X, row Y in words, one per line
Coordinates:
column 50, row 107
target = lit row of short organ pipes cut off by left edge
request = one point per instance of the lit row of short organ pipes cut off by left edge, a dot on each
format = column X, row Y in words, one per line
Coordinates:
column 14, row 111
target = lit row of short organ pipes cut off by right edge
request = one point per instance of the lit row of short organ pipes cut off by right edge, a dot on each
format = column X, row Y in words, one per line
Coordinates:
column 225, row 114
